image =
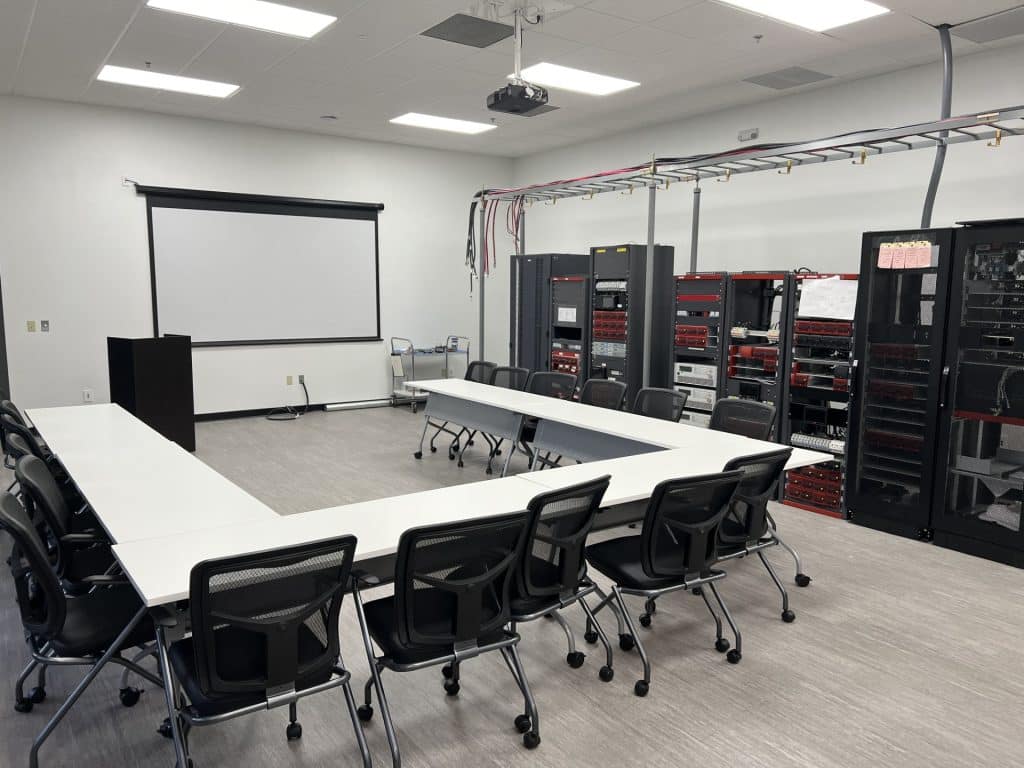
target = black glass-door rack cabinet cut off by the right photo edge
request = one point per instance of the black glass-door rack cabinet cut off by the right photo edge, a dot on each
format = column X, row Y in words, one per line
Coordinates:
column 979, row 488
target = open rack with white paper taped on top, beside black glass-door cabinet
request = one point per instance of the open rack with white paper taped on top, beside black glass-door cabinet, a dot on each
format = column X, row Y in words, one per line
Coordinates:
column 817, row 414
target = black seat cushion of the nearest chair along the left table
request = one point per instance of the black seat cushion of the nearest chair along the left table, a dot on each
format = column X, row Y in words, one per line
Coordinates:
column 94, row 622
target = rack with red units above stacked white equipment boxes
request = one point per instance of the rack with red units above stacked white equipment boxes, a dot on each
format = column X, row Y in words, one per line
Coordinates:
column 698, row 343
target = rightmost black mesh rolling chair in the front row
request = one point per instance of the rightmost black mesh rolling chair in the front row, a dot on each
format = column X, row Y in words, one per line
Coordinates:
column 749, row 528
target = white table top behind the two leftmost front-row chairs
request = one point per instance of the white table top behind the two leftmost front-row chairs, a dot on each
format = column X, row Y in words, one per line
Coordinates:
column 160, row 569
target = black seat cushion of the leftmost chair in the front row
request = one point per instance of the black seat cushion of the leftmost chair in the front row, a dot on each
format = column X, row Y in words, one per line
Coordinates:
column 241, row 659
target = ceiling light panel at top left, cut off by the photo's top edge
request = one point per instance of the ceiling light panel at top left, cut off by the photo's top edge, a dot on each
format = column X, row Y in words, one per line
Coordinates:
column 255, row 14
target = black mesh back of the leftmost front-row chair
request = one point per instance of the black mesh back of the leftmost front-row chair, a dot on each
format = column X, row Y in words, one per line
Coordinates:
column 279, row 610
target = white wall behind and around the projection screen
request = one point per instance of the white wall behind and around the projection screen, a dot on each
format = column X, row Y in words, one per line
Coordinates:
column 74, row 246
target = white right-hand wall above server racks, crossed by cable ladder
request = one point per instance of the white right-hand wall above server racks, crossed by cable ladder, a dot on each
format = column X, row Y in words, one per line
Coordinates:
column 816, row 217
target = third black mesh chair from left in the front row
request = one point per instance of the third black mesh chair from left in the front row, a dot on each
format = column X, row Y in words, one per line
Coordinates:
column 553, row 573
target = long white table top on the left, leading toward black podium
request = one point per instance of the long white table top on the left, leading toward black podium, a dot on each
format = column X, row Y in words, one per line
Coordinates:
column 141, row 485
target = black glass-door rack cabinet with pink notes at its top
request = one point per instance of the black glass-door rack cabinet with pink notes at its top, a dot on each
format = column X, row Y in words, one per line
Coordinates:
column 902, row 305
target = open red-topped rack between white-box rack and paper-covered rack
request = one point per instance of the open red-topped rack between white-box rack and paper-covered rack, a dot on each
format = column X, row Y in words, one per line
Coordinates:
column 759, row 310
